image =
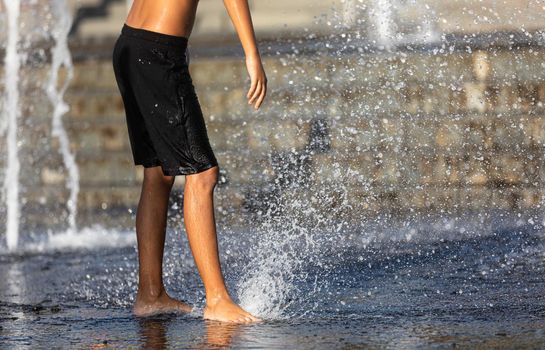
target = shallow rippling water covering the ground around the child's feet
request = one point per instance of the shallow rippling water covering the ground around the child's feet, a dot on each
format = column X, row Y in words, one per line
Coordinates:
column 375, row 287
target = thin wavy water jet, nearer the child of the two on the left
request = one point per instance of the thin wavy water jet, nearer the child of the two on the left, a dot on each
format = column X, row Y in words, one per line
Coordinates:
column 61, row 58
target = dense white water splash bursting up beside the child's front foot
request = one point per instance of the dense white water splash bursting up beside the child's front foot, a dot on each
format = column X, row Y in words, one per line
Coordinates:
column 293, row 237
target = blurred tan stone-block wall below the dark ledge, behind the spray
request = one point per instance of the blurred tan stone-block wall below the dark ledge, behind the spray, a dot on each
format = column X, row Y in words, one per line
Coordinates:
column 350, row 135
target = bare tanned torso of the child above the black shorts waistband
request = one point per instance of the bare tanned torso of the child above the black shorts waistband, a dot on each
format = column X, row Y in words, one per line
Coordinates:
column 173, row 17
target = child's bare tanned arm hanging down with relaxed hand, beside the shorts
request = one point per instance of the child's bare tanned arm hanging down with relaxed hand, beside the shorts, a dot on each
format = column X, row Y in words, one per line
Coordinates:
column 240, row 15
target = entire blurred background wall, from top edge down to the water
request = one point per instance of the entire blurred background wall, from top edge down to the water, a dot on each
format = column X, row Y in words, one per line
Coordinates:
column 374, row 106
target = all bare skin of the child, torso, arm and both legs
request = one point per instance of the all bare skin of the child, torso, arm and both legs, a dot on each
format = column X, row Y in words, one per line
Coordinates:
column 176, row 17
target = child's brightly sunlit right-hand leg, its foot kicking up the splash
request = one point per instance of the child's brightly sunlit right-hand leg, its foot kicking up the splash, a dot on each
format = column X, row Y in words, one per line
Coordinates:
column 201, row 231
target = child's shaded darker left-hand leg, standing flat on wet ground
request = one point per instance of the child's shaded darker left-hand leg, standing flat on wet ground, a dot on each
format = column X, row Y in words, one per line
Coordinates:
column 151, row 220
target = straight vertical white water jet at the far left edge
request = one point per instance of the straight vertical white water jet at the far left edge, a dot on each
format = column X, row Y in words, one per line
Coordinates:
column 12, row 64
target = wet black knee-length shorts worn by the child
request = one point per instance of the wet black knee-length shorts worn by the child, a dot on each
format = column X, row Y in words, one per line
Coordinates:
column 164, row 118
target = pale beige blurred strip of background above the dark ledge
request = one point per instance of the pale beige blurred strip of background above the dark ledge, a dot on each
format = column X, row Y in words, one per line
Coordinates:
column 102, row 18
